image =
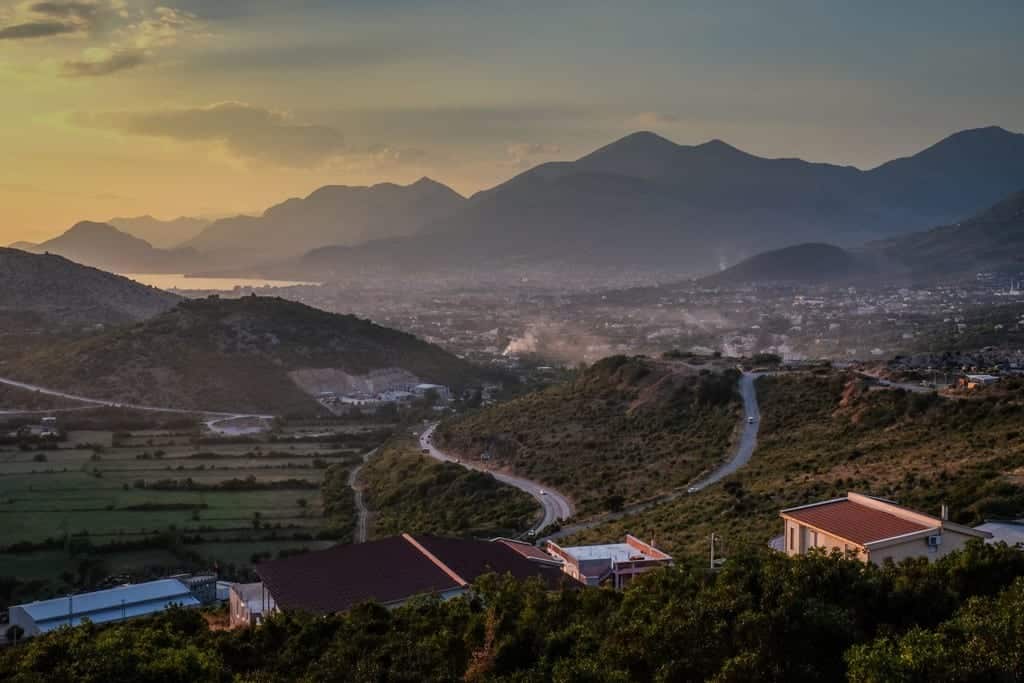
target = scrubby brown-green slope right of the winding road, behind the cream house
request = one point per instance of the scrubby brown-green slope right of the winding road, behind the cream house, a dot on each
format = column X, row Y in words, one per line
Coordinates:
column 823, row 436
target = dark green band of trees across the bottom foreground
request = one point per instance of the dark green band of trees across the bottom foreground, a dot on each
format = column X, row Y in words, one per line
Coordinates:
column 760, row 619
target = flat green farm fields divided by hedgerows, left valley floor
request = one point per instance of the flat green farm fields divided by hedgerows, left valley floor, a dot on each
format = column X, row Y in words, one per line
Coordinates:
column 101, row 504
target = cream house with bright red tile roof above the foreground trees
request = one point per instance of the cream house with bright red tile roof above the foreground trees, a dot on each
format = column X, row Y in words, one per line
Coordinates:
column 874, row 529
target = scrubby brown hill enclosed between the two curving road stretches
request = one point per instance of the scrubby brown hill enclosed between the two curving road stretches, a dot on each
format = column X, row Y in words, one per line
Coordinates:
column 622, row 432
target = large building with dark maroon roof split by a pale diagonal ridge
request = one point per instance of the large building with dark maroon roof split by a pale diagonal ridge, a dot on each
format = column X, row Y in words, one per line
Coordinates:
column 393, row 571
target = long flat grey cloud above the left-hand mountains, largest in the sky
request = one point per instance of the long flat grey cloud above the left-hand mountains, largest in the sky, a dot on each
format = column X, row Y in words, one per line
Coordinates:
column 245, row 131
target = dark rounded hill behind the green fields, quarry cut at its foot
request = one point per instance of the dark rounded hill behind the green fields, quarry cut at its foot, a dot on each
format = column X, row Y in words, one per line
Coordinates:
column 224, row 355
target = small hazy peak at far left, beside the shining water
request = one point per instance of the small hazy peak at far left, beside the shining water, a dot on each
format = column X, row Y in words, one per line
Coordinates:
column 104, row 246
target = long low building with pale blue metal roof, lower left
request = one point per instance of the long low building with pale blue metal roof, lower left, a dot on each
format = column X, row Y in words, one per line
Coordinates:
column 113, row 605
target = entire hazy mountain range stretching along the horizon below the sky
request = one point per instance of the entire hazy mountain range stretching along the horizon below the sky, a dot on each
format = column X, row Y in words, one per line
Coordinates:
column 642, row 201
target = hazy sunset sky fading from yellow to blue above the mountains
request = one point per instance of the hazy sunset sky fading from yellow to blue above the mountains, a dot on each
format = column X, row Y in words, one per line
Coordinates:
column 120, row 108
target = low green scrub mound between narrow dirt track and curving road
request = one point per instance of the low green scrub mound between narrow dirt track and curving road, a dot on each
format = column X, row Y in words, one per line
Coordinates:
column 406, row 492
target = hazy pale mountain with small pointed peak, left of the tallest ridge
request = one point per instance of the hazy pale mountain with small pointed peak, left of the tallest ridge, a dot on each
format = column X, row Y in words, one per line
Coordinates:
column 333, row 216
